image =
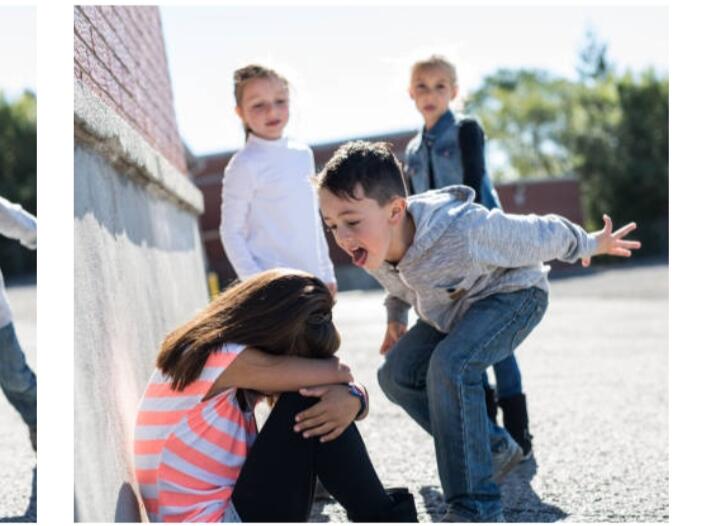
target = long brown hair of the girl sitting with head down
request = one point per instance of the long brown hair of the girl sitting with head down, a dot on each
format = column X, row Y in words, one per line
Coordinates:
column 279, row 311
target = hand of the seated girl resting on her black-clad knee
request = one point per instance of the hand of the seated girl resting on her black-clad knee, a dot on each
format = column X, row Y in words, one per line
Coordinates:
column 329, row 417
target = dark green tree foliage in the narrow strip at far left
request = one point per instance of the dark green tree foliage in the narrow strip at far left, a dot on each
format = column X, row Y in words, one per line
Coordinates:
column 18, row 167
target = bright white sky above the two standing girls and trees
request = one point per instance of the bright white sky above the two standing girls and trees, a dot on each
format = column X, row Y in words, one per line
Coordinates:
column 349, row 65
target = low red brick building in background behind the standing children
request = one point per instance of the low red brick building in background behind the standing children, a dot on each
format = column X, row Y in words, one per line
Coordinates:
column 559, row 196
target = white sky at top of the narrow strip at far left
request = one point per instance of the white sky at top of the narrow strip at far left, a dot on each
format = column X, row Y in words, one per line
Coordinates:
column 17, row 45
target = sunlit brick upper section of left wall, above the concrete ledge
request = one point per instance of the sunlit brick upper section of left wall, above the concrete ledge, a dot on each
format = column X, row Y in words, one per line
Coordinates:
column 120, row 56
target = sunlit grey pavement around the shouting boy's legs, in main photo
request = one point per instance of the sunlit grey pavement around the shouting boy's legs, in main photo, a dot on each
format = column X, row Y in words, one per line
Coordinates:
column 595, row 373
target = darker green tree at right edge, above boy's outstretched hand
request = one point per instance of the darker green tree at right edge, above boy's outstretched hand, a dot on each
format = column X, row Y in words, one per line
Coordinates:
column 624, row 157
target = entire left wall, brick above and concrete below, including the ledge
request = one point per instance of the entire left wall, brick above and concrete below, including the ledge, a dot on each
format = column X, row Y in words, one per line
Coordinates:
column 139, row 268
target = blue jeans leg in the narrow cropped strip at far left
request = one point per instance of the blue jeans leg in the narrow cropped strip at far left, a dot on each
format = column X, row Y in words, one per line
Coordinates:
column 16, row 378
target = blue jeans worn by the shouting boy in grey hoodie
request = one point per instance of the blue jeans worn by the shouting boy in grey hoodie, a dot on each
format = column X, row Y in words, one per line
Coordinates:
column 437, row 379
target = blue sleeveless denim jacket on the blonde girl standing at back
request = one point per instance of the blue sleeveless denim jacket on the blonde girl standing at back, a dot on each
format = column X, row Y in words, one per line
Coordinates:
column 442, row 143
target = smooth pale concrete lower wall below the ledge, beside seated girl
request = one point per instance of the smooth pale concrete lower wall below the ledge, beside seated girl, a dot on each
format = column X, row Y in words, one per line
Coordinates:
column 139, row 273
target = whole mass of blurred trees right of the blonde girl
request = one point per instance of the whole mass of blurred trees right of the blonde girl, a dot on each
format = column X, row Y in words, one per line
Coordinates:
column 610, row 131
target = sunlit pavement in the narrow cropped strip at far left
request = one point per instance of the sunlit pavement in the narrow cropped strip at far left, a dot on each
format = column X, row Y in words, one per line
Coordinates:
column 18, row 483
